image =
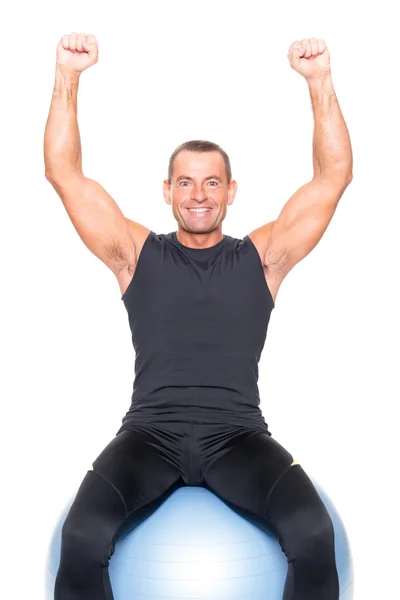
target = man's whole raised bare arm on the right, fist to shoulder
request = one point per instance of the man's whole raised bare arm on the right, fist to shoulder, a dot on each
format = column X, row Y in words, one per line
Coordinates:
column 306, row 215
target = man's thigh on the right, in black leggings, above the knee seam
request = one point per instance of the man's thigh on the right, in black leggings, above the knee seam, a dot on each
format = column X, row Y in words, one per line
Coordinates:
column 245, row 471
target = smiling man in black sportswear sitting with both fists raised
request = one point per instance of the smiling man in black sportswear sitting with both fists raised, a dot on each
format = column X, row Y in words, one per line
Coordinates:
column 199, row 304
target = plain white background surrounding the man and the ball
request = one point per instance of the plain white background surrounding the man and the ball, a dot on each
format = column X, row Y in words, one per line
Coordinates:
column 170, row 72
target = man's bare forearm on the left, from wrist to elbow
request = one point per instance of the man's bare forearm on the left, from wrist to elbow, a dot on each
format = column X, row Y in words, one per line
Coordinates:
column 62, row 144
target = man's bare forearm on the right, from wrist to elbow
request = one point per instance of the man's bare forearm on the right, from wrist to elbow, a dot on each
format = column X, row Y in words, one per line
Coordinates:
column 332, row 153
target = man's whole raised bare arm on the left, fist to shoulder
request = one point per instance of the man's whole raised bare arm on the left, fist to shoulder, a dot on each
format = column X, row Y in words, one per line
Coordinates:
column 95, row 215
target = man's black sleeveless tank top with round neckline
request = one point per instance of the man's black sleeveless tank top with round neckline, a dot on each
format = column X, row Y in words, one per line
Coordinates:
column 199, row 320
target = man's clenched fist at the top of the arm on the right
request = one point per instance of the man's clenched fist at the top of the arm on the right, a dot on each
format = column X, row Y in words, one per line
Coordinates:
column 310, row 58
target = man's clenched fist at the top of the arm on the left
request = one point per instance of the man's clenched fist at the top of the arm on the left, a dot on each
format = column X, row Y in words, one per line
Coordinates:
column 77, row 52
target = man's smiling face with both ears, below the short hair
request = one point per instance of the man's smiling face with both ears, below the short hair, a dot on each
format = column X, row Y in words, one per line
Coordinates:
column 199, row 181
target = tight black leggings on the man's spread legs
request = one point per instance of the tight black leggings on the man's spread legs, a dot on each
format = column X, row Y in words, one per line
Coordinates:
column 243, row 466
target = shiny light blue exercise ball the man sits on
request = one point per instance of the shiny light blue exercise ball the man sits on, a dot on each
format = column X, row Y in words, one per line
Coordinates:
column 195, row 546
